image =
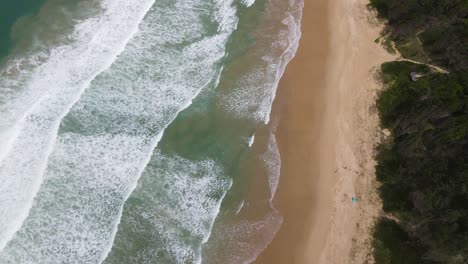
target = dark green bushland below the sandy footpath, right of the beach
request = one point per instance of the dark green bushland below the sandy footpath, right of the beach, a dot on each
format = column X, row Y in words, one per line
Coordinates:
column 424, row 167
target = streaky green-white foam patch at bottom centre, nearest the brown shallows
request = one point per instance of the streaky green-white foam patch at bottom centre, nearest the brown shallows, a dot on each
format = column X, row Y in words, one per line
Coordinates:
column 174, row 205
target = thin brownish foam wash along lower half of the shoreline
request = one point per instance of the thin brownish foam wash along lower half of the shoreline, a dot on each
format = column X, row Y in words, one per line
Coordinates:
column 256, row 221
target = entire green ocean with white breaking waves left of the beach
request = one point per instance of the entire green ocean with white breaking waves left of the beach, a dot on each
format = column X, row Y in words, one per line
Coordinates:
column 140, row 131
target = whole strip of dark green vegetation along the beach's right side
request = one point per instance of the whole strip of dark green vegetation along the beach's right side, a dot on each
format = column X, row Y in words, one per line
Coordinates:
column 423, row 166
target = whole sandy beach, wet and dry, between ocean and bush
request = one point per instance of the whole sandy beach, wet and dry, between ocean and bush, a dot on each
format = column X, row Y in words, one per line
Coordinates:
column 327, row 130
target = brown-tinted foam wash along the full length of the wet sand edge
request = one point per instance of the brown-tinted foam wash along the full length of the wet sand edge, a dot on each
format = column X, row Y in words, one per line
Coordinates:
column 252, row 96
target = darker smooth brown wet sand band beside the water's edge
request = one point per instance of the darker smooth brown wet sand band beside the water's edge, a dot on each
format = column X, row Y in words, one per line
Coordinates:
column 300, row 109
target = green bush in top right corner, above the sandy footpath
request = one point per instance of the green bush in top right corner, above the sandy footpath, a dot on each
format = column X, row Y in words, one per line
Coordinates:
column 433, row 31
